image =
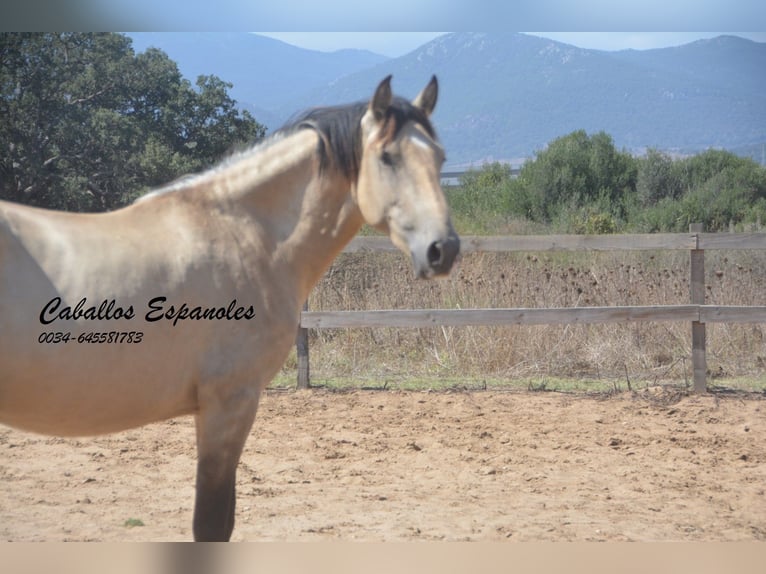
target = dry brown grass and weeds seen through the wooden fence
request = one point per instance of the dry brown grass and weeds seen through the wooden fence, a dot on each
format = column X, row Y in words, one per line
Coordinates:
column 613, row 354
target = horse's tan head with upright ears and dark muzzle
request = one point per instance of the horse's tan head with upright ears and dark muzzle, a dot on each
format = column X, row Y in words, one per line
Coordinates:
column 398, row 188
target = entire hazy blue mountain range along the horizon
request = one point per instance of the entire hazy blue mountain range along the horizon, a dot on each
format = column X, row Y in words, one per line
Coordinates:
column 504, row 96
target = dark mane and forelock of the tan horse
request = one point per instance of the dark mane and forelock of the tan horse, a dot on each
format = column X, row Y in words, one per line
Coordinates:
column 340, row 144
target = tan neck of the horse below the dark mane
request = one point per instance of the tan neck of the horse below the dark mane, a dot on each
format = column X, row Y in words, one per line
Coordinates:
column 304, row 218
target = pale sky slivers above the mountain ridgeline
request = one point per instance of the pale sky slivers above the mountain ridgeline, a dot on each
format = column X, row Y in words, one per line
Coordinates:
column 395, row 44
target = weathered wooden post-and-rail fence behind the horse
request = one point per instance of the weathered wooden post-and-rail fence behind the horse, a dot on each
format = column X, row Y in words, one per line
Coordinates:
column 696, row 312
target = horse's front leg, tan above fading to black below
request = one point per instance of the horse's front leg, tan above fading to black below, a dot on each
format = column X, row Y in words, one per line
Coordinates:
column 221, row 436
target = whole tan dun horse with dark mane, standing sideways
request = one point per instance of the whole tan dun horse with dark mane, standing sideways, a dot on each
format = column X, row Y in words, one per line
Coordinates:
column 188, row 300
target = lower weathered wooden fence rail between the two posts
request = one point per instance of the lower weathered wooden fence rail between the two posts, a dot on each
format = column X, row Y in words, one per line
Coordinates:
column 465, row 317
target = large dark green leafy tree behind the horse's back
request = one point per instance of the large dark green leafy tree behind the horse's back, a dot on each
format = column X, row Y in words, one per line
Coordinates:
column 88, row 125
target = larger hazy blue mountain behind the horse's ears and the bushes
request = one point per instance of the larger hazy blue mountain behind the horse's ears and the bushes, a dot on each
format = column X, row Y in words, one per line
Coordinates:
column 506, row 95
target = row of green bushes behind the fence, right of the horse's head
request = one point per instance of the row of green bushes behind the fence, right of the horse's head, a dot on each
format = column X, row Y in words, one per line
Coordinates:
column 582, row 184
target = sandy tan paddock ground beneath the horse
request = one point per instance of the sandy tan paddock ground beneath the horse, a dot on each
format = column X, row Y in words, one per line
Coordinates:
column 397, row 466
